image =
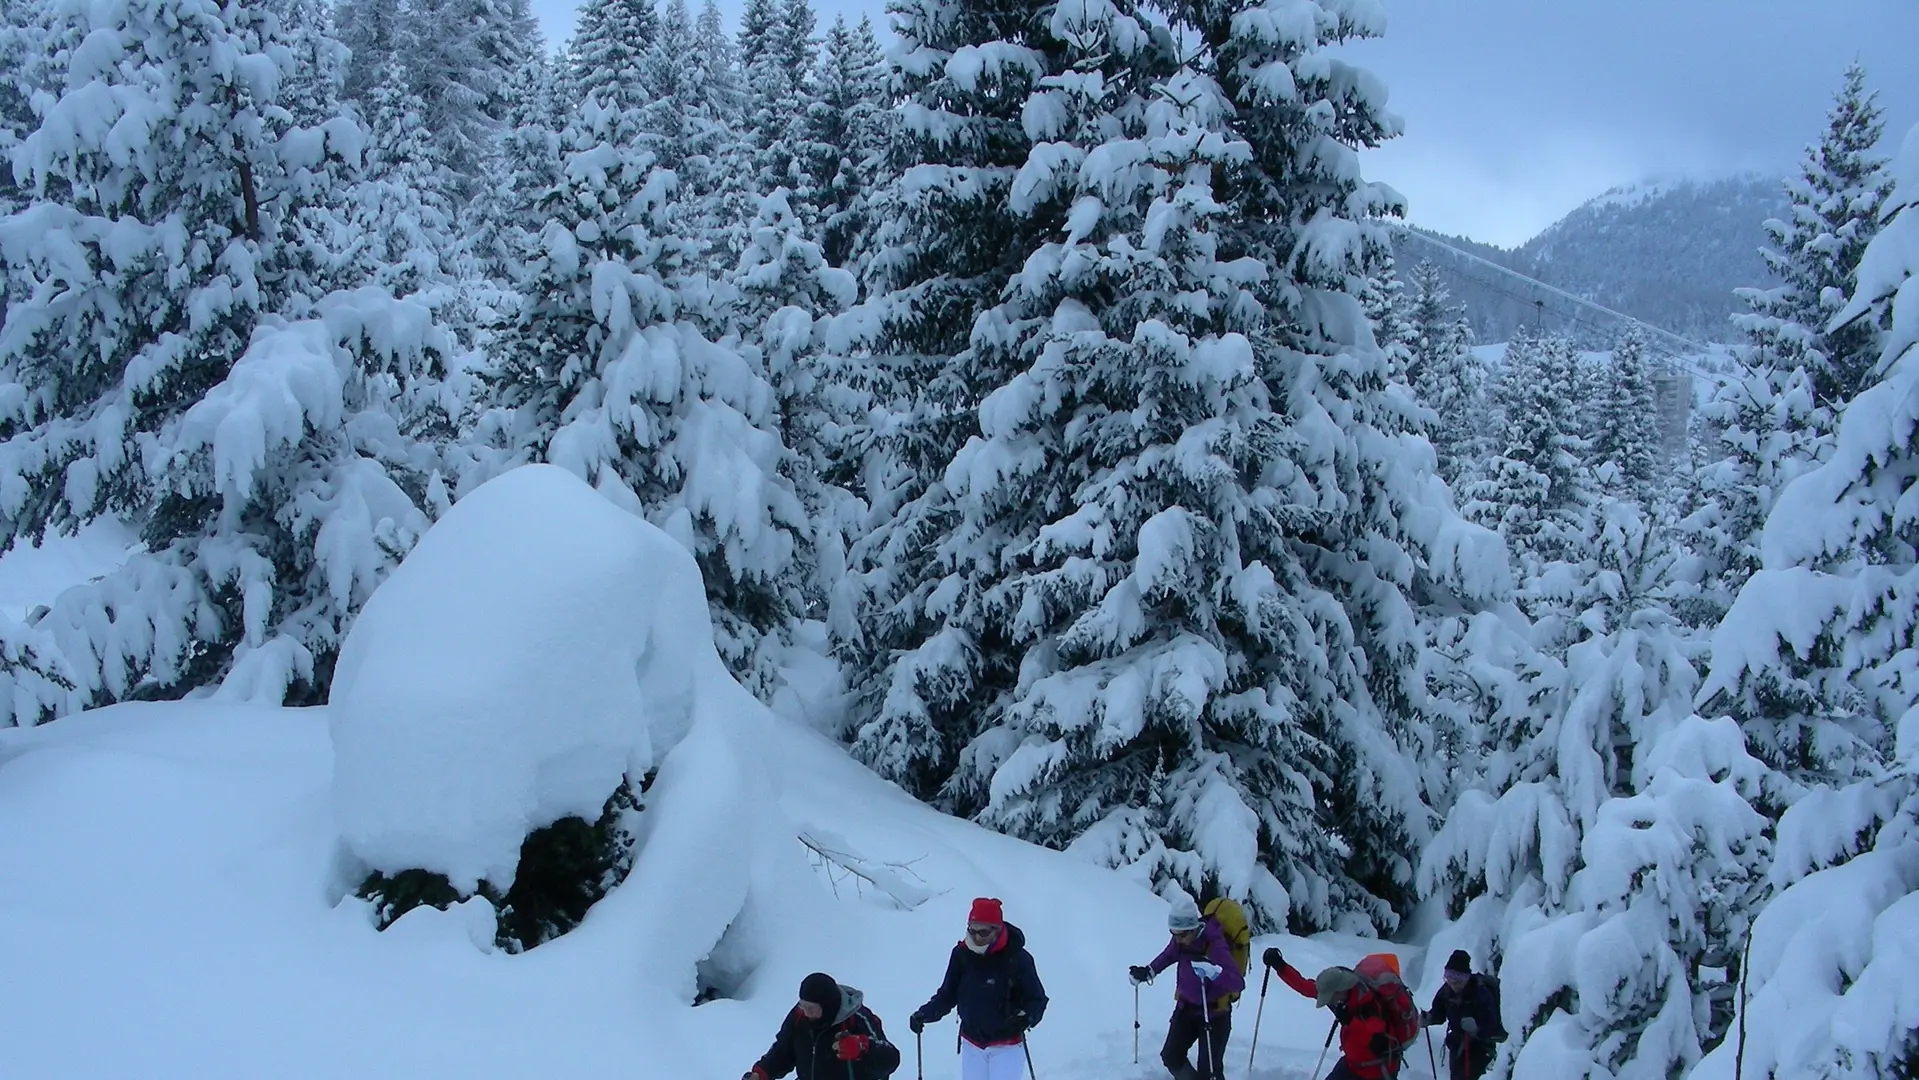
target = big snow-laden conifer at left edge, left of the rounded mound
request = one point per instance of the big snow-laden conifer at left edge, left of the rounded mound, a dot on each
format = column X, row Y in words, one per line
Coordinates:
column 176, row 362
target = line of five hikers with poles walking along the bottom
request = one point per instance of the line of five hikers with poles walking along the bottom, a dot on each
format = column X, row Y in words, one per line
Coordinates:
column 995, row 987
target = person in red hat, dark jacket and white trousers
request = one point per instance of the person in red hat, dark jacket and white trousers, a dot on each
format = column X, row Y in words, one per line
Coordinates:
column 995, row 985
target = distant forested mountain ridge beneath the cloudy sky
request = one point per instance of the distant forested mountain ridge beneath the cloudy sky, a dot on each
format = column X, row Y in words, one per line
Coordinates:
column 1667, row 252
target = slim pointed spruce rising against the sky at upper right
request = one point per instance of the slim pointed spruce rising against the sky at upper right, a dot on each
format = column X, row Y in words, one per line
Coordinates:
column 1836, row 208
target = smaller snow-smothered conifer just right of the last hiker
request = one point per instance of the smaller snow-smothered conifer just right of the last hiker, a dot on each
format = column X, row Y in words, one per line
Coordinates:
column 1603, row 855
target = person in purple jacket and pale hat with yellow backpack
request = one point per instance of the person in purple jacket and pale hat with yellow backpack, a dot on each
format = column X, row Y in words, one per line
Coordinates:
column 1202, row 995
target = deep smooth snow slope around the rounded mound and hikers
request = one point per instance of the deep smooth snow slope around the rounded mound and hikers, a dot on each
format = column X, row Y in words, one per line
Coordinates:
column 172, row 908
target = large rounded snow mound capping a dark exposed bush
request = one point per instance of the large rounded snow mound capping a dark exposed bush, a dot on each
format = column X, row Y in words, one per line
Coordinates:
column 536, row 647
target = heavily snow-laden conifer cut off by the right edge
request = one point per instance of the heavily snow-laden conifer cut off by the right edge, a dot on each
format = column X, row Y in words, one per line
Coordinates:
column 1834, row 615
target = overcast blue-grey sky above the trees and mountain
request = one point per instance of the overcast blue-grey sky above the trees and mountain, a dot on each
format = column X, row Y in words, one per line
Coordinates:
column 1521, row 110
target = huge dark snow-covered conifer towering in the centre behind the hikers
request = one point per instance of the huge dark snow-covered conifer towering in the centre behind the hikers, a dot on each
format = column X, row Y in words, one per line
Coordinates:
column 1129, row 615
